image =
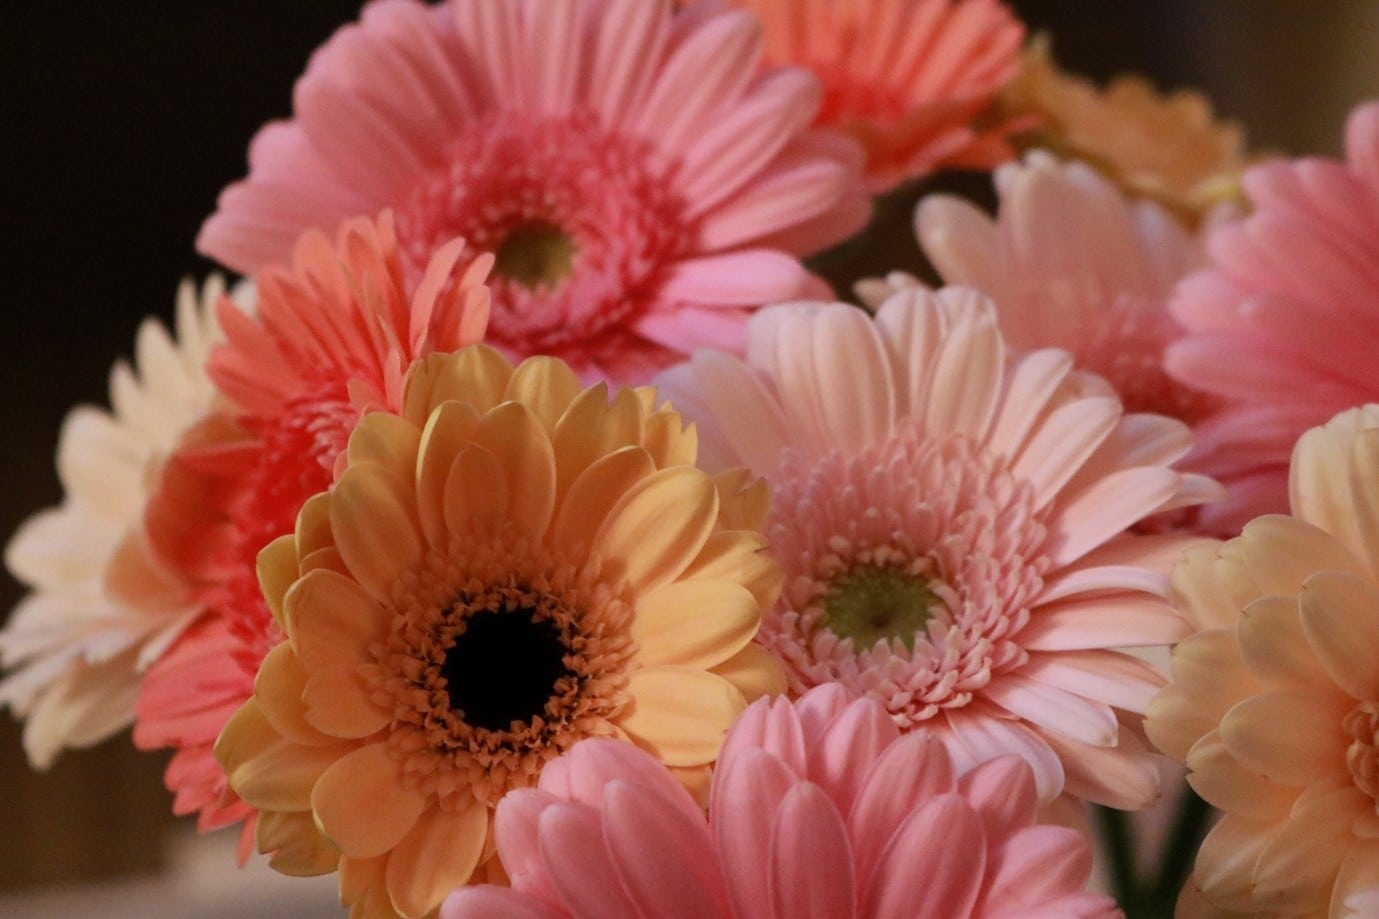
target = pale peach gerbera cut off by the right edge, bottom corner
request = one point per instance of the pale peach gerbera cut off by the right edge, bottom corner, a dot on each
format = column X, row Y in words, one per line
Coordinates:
column 1275, row 702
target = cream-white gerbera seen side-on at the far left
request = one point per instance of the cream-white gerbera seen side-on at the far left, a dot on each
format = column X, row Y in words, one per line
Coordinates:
column 105, row 602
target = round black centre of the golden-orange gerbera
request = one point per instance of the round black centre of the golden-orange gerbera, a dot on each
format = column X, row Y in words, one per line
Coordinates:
column 504, row 667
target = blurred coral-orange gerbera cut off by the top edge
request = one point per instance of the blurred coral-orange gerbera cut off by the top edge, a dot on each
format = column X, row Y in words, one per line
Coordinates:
column 912, row 82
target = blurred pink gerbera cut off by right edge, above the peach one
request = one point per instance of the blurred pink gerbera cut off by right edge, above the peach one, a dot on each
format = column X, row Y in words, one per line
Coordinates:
column 1286, row 324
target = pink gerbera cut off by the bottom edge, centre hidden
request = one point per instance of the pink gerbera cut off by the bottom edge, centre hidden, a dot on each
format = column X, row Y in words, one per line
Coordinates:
column 820, row 808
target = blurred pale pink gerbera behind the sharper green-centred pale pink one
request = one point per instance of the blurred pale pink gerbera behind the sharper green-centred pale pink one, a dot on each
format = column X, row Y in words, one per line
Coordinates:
column 1074, row 263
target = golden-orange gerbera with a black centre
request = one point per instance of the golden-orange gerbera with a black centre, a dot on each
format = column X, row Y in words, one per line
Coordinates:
column 508, row 566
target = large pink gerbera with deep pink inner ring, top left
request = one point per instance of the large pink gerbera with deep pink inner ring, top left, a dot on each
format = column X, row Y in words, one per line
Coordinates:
column 639, row 180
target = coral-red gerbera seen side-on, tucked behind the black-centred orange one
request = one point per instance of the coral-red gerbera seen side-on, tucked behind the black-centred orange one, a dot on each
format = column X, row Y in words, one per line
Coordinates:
column 333, row 337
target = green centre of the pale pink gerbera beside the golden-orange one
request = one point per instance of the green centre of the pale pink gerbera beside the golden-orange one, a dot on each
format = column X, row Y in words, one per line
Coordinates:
column 874, row 604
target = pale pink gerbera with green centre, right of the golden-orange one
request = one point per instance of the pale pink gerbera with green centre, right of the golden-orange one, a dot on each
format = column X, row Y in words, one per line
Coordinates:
column 952, row 524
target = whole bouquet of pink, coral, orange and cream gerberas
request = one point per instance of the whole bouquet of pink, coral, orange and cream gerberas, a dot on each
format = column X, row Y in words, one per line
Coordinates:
column 533, row 535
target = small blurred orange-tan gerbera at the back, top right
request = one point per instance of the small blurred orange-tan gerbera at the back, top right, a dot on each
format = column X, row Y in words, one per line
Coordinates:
column 1167, row 148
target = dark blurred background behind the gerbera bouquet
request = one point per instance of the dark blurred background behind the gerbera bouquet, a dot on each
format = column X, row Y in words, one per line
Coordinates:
column 123, row 122
